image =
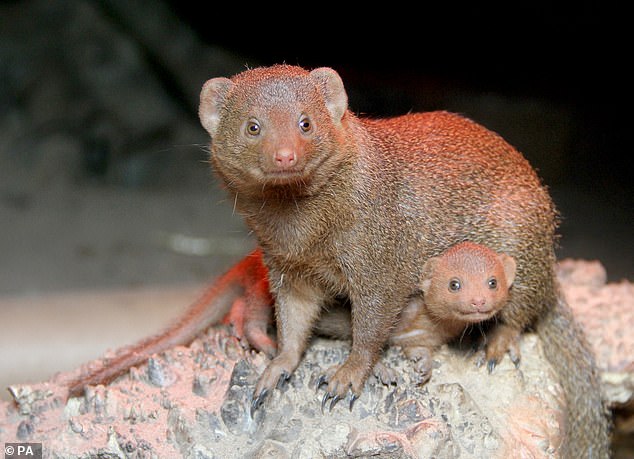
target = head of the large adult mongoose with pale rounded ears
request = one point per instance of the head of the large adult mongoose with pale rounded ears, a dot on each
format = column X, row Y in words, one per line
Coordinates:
column 275, row 127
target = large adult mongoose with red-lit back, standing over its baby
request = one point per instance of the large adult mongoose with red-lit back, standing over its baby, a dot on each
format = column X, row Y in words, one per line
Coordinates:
column 348, row 206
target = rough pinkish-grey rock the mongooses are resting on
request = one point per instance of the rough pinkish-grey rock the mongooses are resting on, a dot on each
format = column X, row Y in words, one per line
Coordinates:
column 195, row 401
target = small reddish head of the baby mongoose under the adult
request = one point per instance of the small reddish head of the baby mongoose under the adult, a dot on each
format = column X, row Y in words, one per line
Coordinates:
column 469, row 283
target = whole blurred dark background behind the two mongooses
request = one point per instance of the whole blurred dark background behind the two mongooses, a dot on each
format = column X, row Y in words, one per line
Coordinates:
column 110, row 217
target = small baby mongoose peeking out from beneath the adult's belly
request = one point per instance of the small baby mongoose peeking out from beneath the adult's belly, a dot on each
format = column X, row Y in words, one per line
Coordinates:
column 466, row 285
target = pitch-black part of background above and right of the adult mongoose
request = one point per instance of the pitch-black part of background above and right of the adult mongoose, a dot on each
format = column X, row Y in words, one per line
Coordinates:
column 553, row 79
